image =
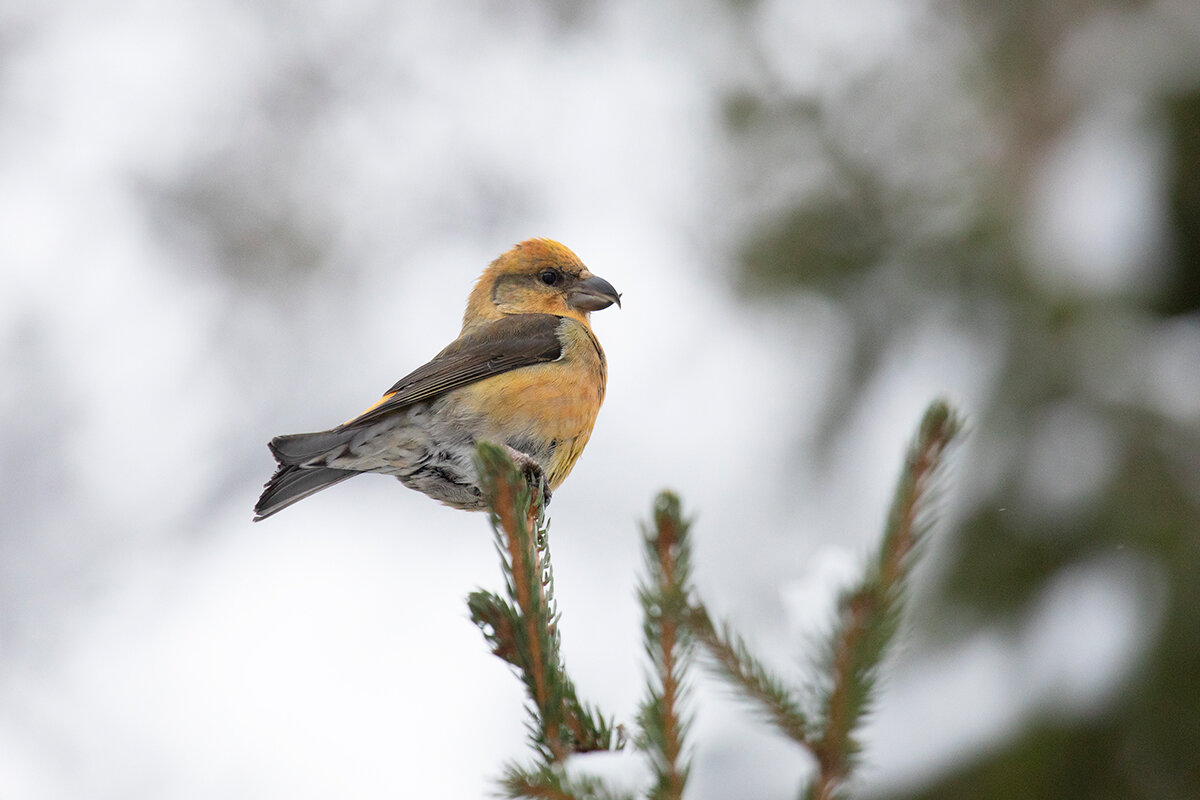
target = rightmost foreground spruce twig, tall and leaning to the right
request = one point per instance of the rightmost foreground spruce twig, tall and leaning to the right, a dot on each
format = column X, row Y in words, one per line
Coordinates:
column 869, row 615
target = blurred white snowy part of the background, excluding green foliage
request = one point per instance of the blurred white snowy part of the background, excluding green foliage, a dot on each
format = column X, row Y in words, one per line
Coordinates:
column 155, row 643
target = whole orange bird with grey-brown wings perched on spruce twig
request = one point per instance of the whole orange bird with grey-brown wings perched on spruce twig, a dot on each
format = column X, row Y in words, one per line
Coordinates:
column 526, row 374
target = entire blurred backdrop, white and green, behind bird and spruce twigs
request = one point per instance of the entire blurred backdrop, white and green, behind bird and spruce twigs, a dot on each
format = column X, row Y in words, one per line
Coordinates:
column 227, row 221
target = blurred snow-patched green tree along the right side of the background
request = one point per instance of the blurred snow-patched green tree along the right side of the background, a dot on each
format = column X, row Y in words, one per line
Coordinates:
column 935, row 189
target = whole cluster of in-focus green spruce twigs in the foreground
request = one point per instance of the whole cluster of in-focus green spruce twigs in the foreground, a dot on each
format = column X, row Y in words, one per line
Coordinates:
column 523, row 629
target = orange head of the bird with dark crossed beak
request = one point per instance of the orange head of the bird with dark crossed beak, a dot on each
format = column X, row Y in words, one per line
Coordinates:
column 539, row 276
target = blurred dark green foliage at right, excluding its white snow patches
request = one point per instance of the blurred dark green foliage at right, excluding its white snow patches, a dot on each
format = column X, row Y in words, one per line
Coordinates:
column 854, row 234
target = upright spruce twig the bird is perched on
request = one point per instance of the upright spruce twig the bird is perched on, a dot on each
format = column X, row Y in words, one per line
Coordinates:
column 523, row 629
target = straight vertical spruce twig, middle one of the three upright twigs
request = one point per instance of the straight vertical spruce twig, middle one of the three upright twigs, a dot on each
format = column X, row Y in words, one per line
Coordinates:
column 665, row 598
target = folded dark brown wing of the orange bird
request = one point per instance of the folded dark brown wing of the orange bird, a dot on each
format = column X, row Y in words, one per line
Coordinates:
column 508, row 344
